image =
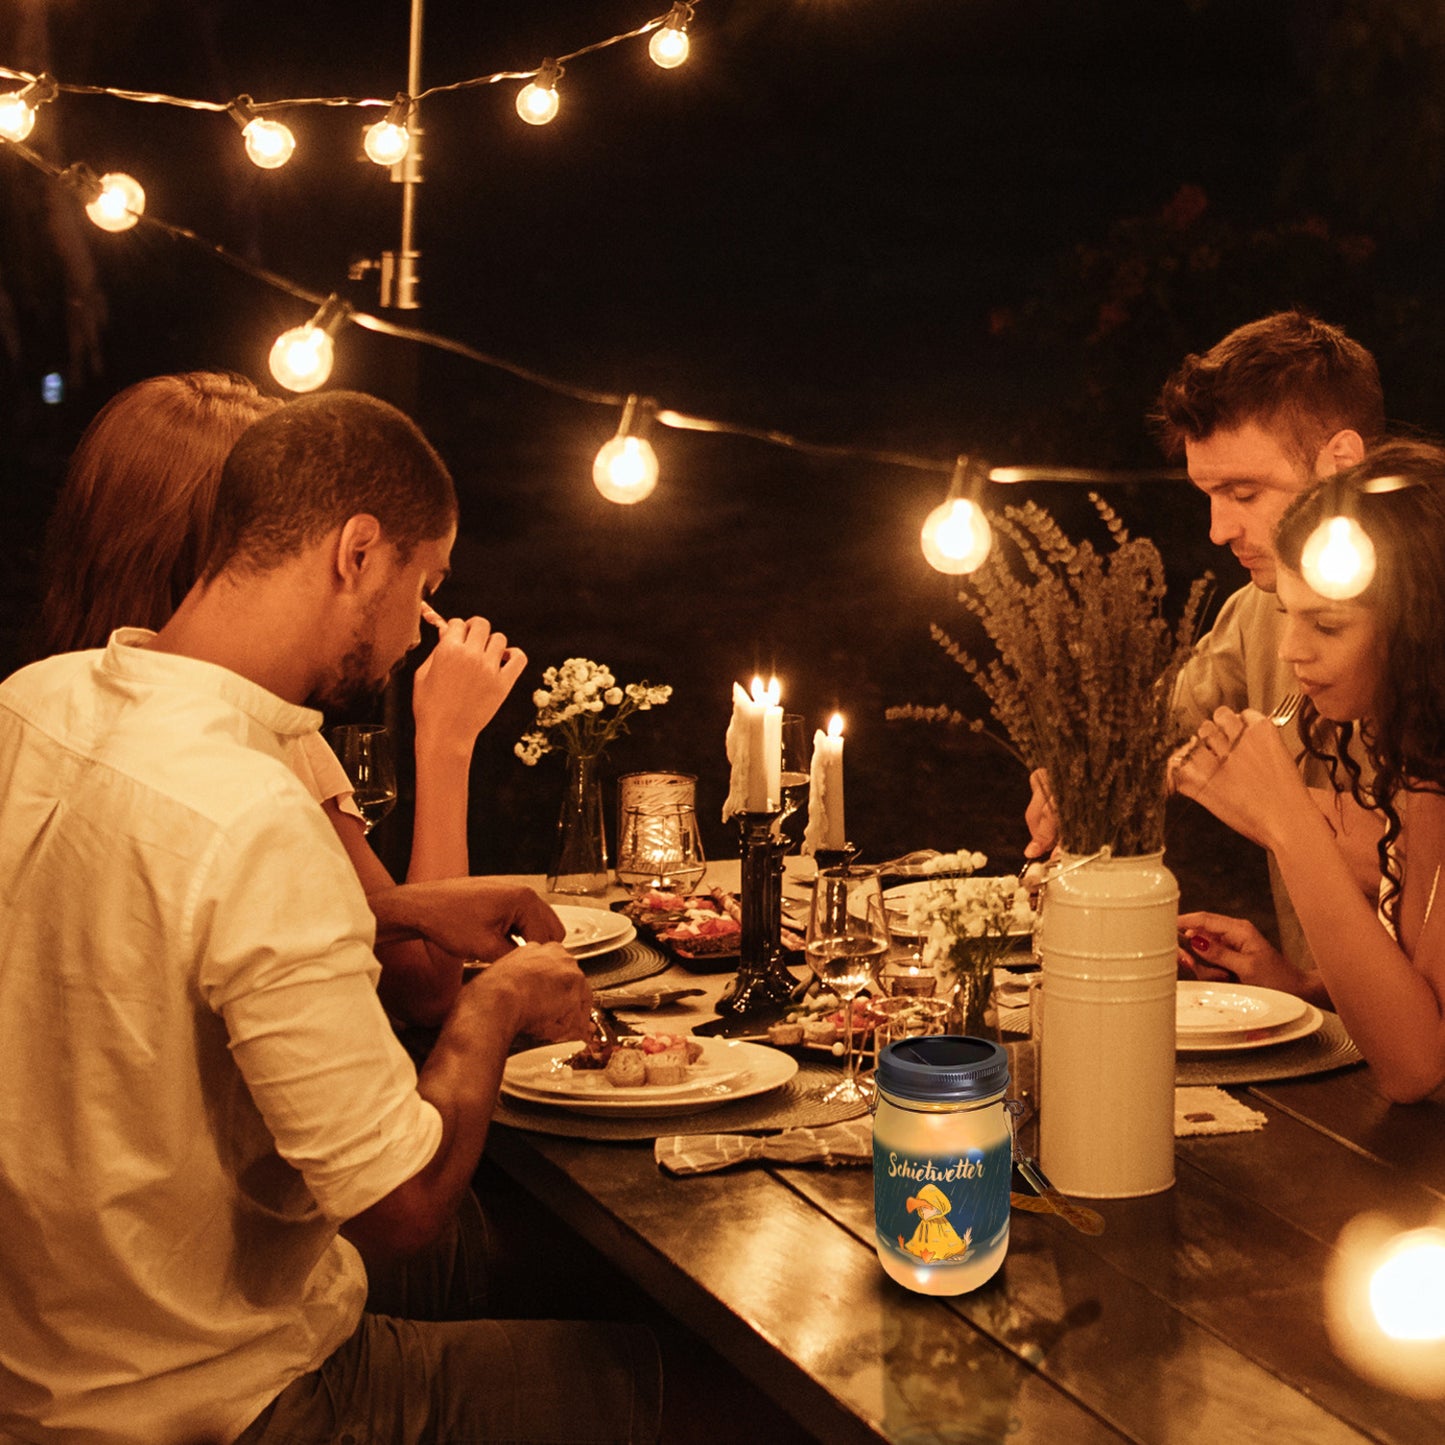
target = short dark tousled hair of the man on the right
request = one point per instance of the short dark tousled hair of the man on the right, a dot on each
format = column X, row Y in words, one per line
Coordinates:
column 1288, row 374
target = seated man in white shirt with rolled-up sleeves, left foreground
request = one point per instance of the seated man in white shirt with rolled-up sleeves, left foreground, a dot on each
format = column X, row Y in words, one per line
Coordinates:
column 204, row 1113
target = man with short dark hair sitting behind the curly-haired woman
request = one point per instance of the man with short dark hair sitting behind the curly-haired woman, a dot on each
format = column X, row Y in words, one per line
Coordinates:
column 1258, row 420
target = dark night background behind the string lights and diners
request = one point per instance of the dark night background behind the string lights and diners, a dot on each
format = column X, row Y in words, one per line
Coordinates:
column 921, row 226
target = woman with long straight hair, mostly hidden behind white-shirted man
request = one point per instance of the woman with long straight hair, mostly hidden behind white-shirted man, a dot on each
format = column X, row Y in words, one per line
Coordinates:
column 128, row 538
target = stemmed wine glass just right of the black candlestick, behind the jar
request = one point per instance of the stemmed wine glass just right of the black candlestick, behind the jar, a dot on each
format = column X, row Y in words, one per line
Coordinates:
column 847, row 939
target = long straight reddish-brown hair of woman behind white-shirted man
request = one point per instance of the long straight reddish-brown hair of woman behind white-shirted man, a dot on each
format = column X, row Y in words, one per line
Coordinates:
column 132, row 525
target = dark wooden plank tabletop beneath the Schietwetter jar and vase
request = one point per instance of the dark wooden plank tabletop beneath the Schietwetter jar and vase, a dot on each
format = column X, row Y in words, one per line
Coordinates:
column 1197, row 1316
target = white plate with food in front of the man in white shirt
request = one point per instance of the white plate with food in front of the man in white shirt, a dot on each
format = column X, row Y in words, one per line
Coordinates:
column 728, row 1071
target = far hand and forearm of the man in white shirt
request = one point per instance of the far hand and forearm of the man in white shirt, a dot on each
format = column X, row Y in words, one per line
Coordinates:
column 470, row 918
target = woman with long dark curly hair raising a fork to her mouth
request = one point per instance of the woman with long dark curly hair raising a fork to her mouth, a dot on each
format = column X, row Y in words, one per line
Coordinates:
column 1363, row 863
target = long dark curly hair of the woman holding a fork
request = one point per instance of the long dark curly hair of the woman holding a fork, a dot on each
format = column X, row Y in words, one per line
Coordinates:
column 1398, row 496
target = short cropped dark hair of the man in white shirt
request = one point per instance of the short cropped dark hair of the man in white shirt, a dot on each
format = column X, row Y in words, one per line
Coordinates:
column 320, row 460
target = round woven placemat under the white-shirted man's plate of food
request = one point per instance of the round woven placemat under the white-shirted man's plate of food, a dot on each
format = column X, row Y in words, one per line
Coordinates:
column 793, row 1106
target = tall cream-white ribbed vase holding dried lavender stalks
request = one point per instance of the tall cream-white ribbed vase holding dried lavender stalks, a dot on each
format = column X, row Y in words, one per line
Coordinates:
column 1108, row 1054
